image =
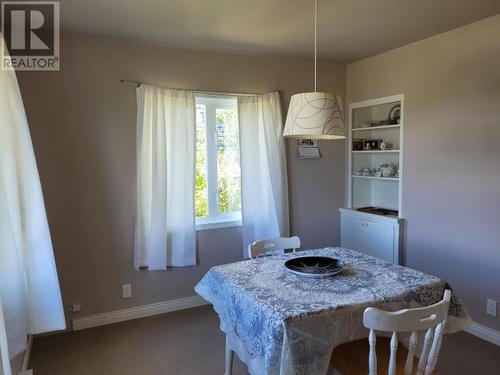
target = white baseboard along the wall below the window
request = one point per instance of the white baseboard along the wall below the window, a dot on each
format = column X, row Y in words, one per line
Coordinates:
column 137, row 312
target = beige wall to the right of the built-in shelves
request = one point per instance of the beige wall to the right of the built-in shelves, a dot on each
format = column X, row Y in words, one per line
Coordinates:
column 451, row 195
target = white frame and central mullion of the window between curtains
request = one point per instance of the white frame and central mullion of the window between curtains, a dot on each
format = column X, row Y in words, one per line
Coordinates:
column 212, row 220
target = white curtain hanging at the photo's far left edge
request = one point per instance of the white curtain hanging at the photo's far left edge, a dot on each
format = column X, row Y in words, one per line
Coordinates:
column 29, row 287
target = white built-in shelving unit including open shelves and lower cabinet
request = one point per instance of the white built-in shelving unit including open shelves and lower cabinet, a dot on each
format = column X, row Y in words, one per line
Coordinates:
column 376, row 230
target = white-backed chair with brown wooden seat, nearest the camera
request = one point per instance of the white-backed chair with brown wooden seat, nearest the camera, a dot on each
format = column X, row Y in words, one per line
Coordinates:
column 431, row 319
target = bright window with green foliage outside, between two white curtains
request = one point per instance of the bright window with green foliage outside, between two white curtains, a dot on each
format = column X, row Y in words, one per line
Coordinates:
column 217, row 175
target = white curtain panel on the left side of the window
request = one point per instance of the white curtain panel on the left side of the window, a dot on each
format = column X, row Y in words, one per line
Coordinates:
column 165, row 224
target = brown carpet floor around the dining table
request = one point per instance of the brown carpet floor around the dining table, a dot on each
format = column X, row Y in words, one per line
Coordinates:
column 189, row 343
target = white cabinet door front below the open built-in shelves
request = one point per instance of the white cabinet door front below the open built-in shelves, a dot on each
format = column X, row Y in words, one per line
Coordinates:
column 370, row 237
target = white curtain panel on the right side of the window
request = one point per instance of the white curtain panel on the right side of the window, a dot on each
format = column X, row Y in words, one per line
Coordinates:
column 264, row 186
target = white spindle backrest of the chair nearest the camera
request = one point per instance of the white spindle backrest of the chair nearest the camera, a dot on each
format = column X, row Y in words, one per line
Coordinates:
column 431, row 318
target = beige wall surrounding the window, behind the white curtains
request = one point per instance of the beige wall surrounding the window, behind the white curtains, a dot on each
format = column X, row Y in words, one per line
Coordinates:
column 82, row 123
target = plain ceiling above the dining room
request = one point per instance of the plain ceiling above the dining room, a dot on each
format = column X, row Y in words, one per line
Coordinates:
column 348, row 29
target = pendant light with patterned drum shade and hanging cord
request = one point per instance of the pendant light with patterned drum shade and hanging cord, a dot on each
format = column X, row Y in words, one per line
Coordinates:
column 315, row 115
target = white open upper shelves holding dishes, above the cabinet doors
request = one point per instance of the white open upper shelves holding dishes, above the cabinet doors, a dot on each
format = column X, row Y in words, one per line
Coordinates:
column 375, row 190
